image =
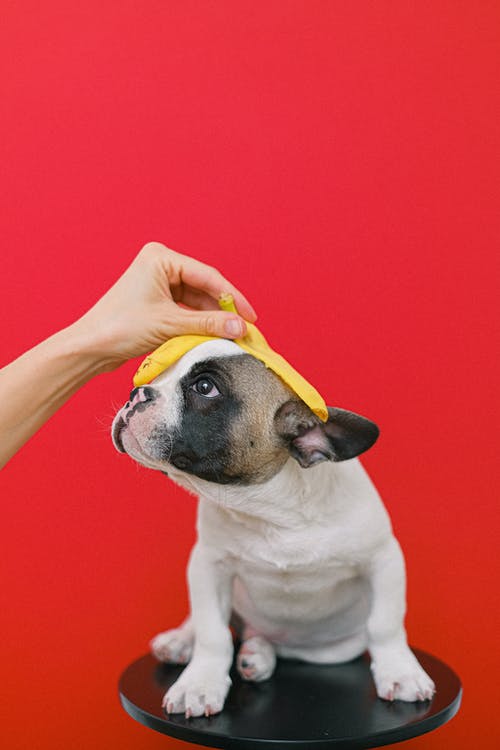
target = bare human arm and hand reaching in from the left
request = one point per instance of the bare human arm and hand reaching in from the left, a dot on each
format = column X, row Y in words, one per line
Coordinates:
column 136, row 315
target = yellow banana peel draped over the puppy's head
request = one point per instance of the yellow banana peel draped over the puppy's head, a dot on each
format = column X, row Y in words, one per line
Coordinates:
column 253, row 343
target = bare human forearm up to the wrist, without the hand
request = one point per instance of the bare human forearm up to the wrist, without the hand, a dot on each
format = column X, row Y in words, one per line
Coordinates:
column 40, row 381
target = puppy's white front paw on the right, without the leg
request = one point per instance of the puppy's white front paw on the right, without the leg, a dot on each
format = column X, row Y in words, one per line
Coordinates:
column 402, row 679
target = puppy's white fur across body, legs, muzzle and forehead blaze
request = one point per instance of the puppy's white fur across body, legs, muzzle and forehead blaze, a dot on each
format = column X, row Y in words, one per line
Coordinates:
column 313, row 548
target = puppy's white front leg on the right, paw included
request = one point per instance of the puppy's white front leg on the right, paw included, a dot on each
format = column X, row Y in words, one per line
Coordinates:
column 396, row 671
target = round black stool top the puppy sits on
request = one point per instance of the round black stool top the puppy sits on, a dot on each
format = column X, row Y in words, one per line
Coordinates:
column 301, row 706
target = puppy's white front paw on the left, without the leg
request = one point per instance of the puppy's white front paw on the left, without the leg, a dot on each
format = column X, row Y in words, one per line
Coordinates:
column 200, row 693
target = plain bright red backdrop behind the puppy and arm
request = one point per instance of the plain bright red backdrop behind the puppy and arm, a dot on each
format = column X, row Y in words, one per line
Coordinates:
column 338, row 162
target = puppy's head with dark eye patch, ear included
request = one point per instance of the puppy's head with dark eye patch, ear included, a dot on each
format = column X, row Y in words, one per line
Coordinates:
column 220, row 415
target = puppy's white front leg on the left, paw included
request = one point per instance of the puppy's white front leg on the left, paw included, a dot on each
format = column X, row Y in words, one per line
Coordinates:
column 203, row 685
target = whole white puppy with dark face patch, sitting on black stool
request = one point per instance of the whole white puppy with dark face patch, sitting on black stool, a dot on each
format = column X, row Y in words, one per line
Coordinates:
column 303, row 560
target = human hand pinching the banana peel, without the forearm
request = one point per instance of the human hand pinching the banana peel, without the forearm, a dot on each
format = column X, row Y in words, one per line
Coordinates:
column 142, row 310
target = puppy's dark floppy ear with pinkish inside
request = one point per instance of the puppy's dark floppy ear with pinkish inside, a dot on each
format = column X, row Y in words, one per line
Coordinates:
column 309, row 440
